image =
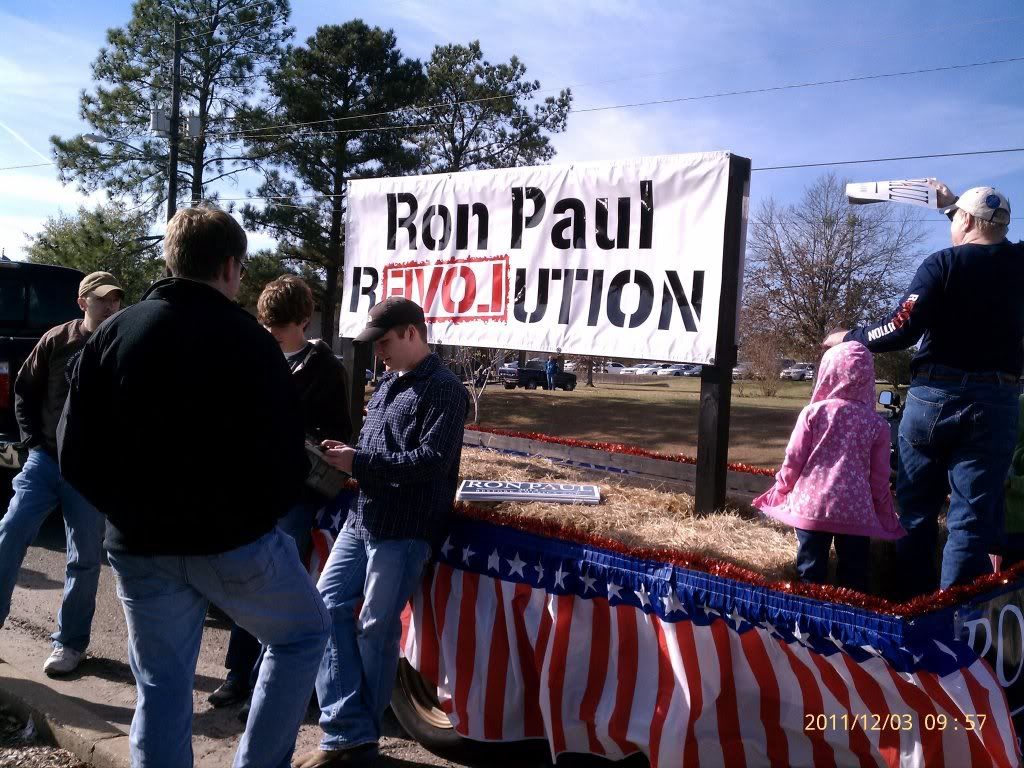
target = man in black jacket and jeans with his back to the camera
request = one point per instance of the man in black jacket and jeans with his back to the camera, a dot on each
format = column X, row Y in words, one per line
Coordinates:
column 183, row 428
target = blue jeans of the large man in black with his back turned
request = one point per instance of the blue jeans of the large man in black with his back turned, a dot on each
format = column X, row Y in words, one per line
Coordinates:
column 265, row 589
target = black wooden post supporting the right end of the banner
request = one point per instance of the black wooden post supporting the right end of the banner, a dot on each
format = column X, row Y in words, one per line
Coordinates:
column 716, row 380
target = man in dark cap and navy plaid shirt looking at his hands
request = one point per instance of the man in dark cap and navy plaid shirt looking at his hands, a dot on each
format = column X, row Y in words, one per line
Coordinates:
column 407, row 464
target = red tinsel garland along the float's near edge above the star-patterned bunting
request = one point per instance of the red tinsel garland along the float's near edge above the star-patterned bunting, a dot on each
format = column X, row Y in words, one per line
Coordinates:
column 703, row 564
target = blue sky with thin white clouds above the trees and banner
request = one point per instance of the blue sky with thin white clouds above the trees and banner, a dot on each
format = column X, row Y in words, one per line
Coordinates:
column 617, row 53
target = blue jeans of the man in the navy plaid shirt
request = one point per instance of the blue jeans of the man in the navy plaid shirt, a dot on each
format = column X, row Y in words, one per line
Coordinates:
column 358, row 671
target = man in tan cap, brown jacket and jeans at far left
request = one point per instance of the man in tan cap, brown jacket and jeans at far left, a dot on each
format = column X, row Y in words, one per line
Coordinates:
column 40, row 393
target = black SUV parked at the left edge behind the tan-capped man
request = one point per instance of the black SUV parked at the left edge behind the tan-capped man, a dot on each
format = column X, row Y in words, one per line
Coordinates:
column 34, row 298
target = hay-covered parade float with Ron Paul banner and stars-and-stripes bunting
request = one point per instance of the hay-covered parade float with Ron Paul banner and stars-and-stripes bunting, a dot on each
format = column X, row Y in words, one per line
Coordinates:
column 662, row 623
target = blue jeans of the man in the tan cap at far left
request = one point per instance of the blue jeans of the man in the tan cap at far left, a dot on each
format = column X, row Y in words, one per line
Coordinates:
column 38, row 490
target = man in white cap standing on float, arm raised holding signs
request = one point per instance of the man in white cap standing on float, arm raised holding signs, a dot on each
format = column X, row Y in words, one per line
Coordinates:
column 966, row 307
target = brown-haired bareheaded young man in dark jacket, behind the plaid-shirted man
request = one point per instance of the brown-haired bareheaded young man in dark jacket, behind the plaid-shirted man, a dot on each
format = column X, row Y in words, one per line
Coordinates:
column 285, row 309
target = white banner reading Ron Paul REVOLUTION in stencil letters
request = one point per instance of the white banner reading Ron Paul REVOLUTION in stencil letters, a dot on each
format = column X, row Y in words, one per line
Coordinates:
column 612, row 260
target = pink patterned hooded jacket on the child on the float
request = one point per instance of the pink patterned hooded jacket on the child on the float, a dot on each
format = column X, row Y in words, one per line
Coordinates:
column 836, row 475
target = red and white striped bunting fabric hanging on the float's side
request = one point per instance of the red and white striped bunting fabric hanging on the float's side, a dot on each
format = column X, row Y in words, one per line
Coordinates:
column 593, row 675
